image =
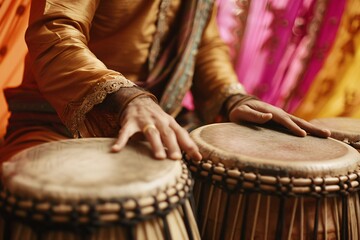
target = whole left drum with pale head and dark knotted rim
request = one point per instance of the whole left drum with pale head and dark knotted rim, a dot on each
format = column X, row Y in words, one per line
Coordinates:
column 77, row 189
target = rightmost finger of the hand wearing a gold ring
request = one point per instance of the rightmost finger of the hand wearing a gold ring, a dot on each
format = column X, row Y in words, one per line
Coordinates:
column 186, row 143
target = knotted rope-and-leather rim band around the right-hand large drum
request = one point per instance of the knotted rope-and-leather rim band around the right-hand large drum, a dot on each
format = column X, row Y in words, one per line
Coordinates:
column 236, row 180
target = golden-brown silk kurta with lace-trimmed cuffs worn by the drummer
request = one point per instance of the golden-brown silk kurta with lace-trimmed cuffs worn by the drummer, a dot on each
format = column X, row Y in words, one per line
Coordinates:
column 83, row 50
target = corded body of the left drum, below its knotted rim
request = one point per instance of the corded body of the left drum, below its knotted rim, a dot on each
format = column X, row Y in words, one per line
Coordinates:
column 176, row 221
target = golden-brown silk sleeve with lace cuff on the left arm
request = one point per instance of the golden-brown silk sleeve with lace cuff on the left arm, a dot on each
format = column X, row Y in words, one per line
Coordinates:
column 68, row 74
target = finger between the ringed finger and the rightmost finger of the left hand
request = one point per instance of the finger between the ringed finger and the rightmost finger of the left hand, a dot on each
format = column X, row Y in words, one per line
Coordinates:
column 169, row 140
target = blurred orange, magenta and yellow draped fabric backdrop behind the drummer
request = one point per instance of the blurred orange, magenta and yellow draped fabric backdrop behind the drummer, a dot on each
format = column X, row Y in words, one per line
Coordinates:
column 302, row 56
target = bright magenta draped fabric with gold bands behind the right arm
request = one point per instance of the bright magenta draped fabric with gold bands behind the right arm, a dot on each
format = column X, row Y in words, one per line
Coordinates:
column 281, row 51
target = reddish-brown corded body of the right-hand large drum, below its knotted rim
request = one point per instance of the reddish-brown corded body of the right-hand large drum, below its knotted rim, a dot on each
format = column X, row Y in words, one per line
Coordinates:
column 224, row 215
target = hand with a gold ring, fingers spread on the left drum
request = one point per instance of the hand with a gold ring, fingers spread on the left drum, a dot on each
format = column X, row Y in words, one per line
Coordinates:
column 166, row 137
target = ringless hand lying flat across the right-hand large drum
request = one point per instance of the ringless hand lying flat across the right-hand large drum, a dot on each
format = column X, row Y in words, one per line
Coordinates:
column 260, row 112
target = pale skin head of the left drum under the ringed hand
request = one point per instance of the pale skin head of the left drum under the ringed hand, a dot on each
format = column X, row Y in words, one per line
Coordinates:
column 85, row 169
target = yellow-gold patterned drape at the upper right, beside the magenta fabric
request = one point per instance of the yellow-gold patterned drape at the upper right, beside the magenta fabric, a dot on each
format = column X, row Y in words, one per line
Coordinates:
column 335, row 90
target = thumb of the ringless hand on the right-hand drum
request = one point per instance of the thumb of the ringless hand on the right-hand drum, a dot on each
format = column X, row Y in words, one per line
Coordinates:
column 246, row 113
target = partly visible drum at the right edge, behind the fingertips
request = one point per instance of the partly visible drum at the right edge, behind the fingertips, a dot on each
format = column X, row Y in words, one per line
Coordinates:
column 342, row 128
